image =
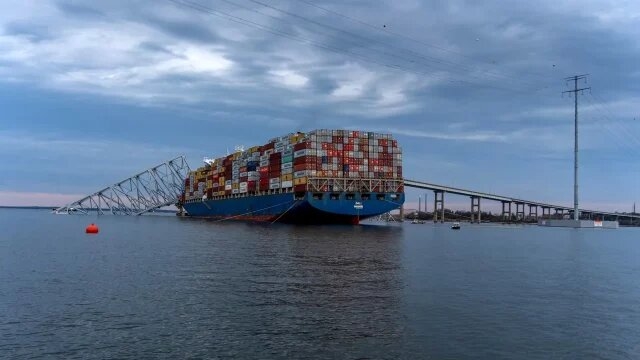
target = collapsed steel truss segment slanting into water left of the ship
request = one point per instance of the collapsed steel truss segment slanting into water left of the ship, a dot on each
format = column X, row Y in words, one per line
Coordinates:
column 159, row 186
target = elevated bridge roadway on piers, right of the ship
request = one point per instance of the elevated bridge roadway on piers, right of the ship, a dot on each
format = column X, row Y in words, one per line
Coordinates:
column 475, row 196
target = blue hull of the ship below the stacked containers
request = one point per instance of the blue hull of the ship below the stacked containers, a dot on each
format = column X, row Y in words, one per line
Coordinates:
column 311, row 208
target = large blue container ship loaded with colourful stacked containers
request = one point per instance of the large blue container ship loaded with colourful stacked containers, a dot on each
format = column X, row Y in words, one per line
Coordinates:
column 319, row 177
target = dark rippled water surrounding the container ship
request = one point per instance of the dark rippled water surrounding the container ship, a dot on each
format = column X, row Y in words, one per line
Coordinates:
column 165, row 287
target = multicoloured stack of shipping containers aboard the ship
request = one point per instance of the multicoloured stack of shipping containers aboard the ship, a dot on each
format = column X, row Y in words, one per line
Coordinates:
column 289, row 161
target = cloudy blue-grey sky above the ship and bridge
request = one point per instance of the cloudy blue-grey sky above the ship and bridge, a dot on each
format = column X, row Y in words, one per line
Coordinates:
column 93, row 92
